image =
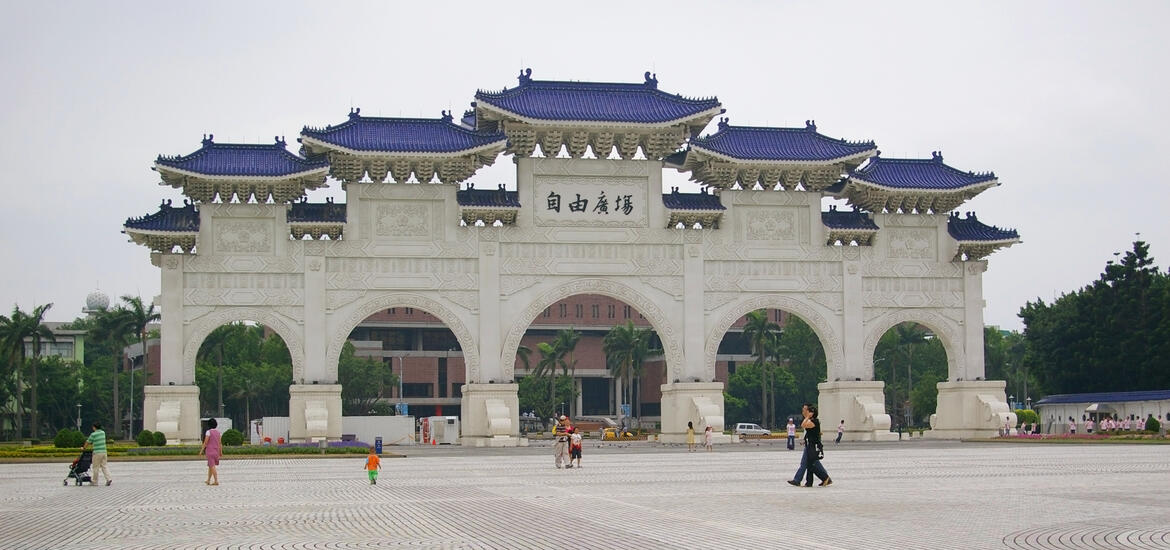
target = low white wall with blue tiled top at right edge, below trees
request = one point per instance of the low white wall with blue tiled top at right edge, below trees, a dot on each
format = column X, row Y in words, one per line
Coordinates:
column 1056, row 411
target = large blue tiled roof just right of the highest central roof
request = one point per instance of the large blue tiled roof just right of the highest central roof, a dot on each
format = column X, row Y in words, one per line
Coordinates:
column 752, row 143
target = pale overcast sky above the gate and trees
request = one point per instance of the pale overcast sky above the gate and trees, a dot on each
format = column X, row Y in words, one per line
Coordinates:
column 1066, row 102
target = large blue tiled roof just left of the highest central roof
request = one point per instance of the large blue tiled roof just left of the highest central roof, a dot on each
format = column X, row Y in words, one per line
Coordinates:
column 403, row 135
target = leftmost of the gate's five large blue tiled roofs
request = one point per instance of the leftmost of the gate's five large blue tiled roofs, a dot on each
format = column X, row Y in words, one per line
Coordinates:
column 243, row 160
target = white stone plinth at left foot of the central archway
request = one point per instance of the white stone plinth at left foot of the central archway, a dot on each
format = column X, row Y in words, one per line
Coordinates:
column 491, row 416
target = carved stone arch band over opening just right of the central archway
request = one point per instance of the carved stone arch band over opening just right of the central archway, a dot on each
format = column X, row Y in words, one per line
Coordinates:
column 835, row 353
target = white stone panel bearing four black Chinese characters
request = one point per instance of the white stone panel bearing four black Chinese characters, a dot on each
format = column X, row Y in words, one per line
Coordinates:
column 591, row 201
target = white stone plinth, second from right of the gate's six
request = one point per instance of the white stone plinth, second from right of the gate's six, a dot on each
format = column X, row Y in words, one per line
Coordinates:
column 861, row 404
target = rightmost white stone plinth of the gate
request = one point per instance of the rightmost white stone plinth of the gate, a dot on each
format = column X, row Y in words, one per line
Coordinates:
column 976, row 409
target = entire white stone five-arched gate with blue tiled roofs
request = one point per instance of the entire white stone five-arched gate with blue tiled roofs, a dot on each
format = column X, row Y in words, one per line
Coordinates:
column 589, row 216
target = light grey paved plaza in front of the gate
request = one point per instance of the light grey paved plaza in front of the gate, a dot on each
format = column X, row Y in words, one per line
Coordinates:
column 901, row 497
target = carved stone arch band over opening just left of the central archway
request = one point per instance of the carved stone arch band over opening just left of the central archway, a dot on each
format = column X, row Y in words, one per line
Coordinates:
column 404, row 300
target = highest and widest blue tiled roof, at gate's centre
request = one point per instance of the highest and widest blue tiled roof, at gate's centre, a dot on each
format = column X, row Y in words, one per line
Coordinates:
column 596, row 101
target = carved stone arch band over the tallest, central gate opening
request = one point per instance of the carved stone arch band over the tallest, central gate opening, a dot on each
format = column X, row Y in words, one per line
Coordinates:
column 631, row 297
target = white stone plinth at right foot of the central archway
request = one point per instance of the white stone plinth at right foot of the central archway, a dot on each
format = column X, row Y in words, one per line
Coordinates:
column 700, row 403
